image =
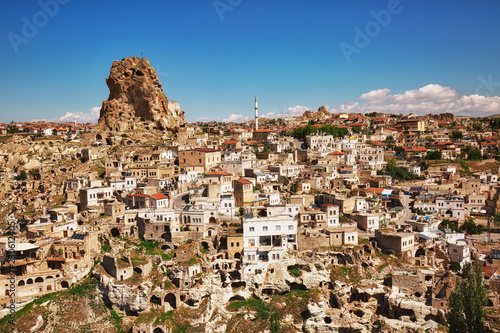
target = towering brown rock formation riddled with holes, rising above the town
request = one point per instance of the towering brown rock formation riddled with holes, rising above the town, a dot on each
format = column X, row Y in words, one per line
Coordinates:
column 136, row 99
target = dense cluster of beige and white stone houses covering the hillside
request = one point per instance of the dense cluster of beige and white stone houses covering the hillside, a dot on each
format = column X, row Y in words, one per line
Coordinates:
column 283, row 194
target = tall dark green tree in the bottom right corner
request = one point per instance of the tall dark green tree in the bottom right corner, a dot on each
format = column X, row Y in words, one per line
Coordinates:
column 467, row 302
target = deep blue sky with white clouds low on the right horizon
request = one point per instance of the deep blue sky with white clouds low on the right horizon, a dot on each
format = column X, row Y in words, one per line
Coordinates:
column 213, row 57
